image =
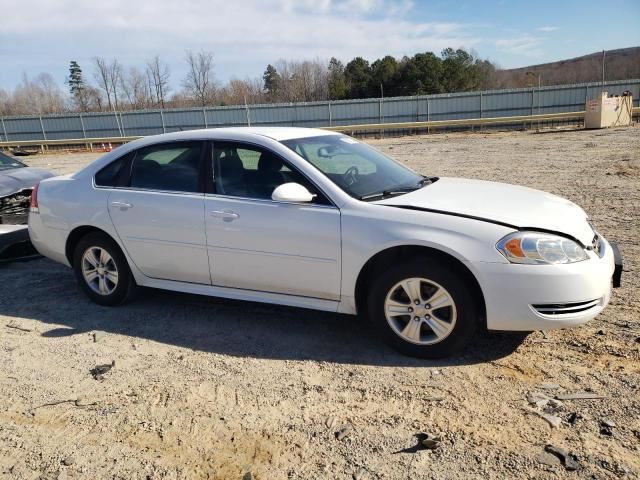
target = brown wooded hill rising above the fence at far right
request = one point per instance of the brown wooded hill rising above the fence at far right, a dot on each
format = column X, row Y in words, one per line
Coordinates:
column 620, row 64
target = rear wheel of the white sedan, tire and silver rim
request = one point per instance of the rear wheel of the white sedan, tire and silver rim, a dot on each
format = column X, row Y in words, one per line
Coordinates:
column 102, row 271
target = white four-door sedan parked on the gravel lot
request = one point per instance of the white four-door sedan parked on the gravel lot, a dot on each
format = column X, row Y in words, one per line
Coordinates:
column 316, row 219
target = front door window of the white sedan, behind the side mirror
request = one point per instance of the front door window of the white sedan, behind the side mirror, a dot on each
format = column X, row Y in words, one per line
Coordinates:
column 248, row 171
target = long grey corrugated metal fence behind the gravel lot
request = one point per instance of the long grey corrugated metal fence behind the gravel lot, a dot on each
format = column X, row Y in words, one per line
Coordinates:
column 466, row 105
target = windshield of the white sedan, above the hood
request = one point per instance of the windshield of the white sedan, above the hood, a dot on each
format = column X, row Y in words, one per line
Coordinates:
column 358, row 169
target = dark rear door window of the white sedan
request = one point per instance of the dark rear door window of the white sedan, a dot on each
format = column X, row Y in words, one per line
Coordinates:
column 169, row 167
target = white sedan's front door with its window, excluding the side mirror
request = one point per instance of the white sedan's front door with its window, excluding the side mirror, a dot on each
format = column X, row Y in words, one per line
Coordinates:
column 255, row 243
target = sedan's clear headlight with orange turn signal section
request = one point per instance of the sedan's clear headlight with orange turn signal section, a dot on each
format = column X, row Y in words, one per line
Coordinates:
column 540, row 249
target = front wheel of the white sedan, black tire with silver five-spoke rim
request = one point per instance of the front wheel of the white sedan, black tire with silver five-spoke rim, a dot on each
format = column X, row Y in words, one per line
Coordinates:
column 423, row 308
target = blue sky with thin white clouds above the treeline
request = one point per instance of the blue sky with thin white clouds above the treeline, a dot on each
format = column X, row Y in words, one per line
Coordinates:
column 245, row 35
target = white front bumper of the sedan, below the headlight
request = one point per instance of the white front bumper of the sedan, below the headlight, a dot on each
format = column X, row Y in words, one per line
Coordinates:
column 544, row 297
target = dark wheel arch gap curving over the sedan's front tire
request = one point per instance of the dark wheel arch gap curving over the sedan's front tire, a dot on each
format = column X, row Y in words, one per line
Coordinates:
column 397, row 253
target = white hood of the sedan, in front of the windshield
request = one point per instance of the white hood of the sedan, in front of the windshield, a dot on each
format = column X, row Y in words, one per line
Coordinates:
column 516, row 206
